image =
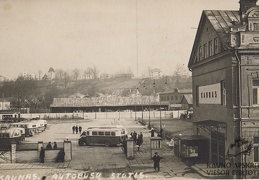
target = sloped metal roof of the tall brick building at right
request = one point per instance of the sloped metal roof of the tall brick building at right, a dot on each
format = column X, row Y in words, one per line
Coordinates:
column 221, row 21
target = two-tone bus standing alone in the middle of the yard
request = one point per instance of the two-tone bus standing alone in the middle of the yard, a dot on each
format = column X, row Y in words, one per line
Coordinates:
column 107, row 135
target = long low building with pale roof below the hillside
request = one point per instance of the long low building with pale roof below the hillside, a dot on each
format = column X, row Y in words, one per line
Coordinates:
column 107, row 103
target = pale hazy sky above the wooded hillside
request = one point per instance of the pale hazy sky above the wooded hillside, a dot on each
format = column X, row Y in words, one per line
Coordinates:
column 116, row 36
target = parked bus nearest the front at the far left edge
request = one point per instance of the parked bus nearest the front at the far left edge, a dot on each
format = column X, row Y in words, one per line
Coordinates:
column 10, row 135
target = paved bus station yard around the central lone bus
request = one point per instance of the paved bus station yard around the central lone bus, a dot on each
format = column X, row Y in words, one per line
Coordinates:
column 110, row 162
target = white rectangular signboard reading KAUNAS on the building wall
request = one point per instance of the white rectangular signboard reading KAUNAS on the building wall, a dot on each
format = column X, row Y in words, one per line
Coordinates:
column 210, row 94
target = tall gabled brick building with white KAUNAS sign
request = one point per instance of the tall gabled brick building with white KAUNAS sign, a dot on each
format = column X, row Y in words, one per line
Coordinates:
column 225, row 75
